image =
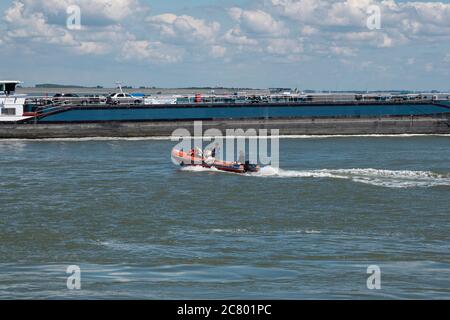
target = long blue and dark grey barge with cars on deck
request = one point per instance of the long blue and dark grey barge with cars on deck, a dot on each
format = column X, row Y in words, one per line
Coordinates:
column 124, row 115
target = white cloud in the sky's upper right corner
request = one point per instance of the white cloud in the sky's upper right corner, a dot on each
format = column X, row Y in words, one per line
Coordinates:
column 405, row 20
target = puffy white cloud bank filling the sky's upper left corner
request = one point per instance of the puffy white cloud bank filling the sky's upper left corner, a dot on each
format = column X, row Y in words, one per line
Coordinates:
column 28, row 28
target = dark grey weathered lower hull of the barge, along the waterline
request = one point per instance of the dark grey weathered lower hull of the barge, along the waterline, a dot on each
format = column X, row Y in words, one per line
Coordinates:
column 438, row 124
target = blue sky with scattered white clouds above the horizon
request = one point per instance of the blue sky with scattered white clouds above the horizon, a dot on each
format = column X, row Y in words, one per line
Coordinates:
column 305, row 44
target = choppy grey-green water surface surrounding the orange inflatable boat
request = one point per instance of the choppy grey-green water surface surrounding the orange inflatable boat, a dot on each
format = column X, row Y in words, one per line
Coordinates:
column 139, row 227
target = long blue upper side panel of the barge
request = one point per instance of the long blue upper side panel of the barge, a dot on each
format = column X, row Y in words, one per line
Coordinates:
column 217, row 112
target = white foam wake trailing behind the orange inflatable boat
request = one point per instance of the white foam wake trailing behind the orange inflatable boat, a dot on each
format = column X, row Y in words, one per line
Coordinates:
column 377, row 177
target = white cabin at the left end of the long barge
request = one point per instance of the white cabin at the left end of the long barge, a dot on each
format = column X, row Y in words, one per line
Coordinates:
column 11, row 104
